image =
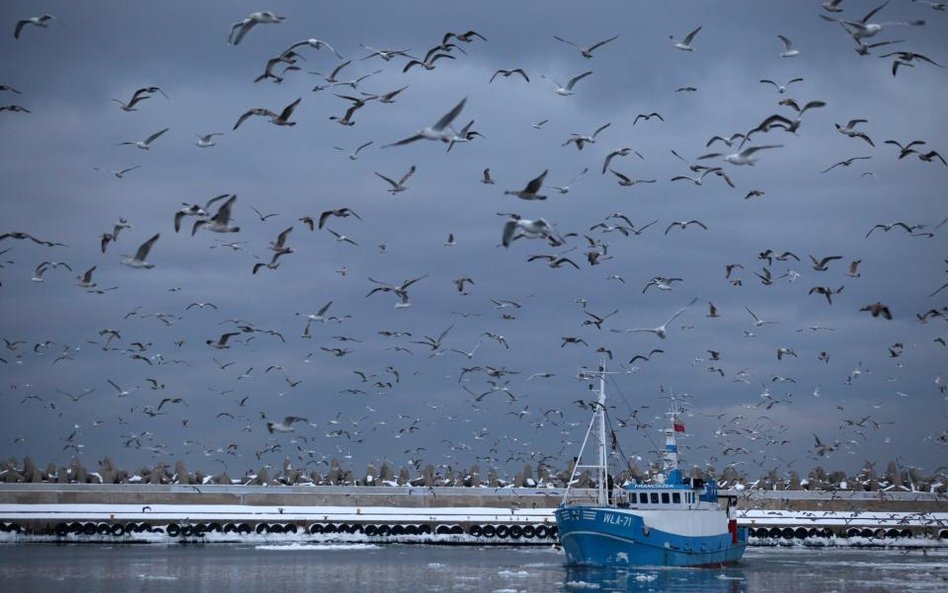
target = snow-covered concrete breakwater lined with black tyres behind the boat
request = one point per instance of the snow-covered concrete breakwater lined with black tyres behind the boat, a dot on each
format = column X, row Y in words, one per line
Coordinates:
column 210, row 513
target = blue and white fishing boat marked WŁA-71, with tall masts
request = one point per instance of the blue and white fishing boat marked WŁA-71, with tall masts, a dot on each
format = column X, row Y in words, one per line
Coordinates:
column 671, row 521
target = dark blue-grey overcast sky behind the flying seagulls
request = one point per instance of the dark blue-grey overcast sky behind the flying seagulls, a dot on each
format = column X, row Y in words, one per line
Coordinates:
column 874, row 385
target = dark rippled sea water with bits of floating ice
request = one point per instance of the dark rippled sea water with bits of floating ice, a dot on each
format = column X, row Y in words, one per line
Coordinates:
column 271, row 568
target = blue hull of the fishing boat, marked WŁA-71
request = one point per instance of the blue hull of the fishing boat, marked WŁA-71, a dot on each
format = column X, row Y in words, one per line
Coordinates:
column 593, row 536
